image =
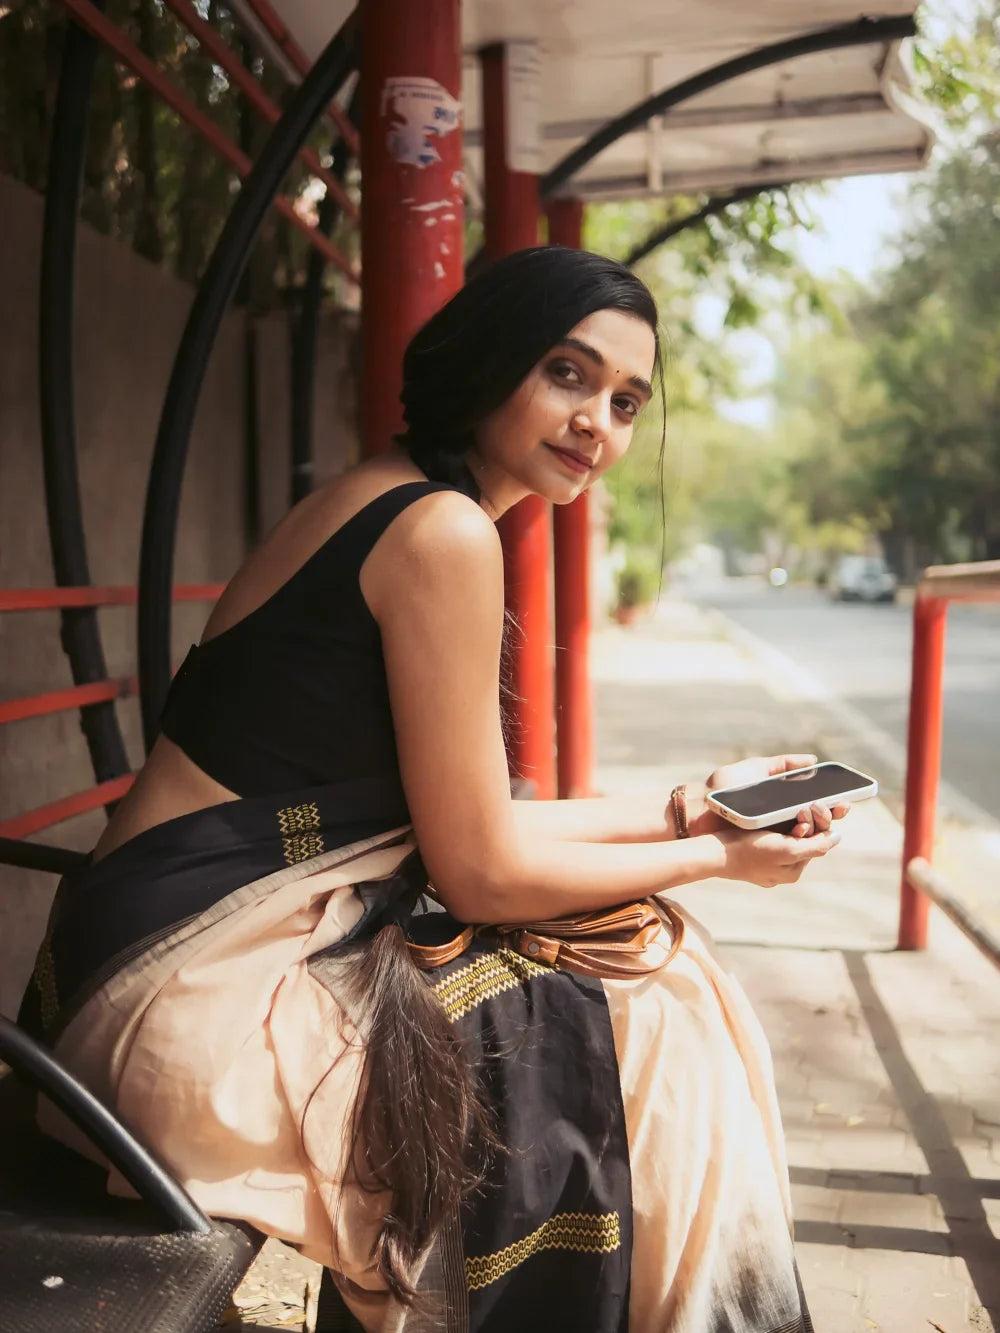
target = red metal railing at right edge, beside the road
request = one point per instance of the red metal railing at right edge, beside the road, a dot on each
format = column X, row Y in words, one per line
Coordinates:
column 938, row 587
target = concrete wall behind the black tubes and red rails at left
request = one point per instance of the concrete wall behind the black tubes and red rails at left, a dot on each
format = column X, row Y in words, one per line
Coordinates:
column 129, row 321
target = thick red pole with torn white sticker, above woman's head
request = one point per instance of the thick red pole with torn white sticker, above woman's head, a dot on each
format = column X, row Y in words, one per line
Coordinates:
column 411, row 191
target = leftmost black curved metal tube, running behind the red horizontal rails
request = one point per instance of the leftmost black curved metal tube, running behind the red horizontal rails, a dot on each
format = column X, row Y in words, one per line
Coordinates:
column 81, row 631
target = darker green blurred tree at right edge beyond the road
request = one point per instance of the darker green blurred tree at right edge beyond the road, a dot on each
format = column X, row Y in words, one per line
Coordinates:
column 935, row 345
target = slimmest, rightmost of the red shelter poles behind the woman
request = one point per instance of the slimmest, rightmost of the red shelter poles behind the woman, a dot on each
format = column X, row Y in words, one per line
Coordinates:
column 571, row 541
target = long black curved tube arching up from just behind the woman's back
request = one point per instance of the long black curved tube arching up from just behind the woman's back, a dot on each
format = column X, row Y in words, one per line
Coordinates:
column 223, row 273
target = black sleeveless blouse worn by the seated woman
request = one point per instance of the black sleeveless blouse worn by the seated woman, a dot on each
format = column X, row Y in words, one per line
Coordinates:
column 295, row 694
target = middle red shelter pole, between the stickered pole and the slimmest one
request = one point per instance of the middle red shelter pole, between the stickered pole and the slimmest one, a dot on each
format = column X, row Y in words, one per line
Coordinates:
column 511, row 225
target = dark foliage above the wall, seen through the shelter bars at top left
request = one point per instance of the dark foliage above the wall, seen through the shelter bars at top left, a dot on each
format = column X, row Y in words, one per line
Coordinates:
column 150, row 181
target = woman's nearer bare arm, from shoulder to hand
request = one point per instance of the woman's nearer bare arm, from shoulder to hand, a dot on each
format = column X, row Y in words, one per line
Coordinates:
column 435, row 587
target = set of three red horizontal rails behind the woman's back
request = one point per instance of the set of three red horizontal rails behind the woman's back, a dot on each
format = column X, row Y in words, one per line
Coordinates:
column 78, row 696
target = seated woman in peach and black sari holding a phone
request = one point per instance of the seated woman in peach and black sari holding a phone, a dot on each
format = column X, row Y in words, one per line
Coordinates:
column 233, row 974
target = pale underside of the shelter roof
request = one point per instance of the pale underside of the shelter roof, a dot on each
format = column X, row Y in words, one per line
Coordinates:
column 825, row 115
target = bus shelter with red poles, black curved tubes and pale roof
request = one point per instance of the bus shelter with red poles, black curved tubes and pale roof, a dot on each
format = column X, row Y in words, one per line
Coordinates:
column 509, row 113
